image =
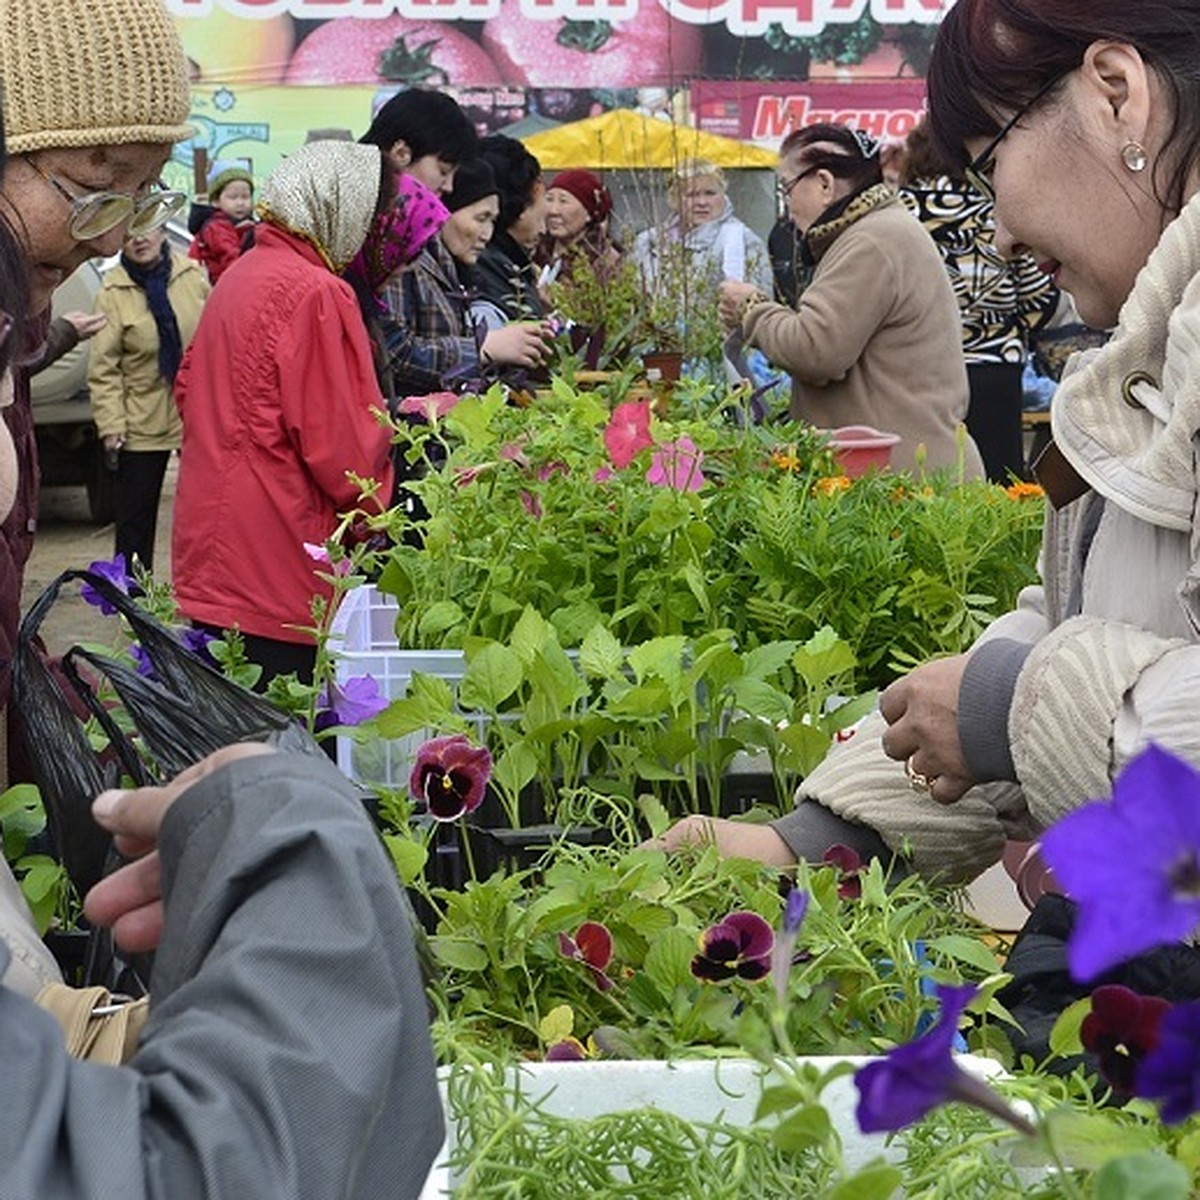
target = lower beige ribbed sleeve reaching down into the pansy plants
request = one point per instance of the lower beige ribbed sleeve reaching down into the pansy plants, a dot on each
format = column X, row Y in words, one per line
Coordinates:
column 860, row 783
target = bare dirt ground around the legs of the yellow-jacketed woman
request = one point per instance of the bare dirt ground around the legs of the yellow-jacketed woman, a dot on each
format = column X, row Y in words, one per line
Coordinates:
column 68, row 539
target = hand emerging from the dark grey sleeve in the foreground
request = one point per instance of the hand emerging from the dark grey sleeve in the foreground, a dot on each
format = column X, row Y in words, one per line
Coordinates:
column 130, row 901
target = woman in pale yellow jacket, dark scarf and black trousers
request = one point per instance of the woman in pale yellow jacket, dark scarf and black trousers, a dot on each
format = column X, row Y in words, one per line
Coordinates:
column 153, row 302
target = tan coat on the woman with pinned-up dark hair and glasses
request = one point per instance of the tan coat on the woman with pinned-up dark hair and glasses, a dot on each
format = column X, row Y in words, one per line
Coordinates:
column 877, row 340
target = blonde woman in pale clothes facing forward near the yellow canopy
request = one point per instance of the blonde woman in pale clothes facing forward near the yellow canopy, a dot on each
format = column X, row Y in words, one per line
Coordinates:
column 704, row 233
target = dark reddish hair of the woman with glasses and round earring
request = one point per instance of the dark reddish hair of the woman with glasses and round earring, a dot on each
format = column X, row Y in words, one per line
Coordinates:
column 994, row 57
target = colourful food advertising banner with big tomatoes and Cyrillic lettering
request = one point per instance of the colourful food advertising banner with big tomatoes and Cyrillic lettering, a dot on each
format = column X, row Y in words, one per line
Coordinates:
column 268, row 75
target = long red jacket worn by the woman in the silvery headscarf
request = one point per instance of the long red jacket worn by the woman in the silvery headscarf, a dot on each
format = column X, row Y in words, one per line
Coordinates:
column 277, row 393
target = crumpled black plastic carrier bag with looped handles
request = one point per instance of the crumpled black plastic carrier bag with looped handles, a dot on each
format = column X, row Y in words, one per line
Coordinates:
column 170, row 722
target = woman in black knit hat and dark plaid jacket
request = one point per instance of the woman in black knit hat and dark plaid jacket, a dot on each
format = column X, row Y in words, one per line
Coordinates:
column 431, row 341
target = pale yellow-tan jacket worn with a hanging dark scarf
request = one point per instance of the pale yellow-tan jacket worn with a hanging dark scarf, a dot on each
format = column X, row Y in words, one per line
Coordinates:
column 129, row 395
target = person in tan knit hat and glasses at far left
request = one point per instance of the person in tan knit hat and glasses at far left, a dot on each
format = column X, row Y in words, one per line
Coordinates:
column 95, row 97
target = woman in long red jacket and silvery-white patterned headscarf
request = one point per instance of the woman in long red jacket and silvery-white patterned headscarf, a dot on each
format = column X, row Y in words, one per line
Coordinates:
column 279, row 398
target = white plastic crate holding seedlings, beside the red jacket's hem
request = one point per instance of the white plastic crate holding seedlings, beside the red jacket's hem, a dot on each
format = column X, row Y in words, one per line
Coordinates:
column 365, row 641
